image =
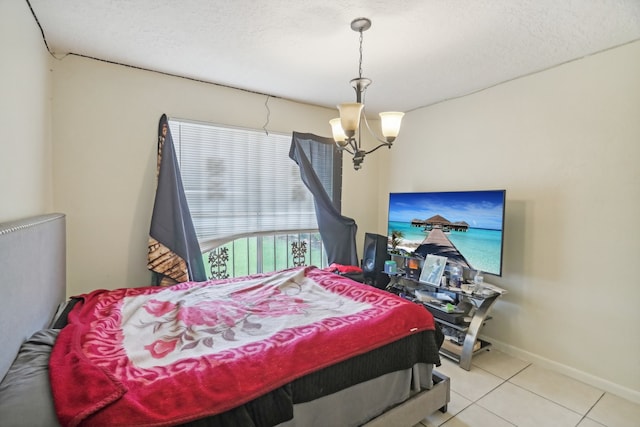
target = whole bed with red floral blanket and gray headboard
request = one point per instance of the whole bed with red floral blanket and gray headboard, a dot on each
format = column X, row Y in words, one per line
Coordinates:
column 384, row 380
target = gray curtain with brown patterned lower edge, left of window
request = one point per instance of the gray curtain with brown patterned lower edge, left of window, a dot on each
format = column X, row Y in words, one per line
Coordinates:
column 174, row 253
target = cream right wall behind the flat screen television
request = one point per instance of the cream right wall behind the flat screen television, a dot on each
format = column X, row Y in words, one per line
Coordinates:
column 565, row 144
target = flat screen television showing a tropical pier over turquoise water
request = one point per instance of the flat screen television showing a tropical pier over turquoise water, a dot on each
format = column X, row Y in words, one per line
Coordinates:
column 467, row 227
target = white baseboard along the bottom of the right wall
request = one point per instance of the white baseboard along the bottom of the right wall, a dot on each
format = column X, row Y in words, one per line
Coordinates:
column 592, row 380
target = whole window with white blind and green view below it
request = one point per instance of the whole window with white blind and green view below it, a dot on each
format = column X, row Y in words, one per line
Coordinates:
column 250, row 209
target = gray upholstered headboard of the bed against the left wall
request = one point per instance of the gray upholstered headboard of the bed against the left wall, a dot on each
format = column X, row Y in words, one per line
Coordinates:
column 32, row 279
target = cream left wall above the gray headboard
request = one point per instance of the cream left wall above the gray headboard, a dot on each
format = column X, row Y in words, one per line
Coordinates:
column 25, row 115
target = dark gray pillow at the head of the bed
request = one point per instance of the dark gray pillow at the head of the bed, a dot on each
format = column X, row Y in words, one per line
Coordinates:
column 25, row 394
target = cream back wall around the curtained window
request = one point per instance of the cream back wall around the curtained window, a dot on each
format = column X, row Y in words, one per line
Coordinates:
column 105, row 131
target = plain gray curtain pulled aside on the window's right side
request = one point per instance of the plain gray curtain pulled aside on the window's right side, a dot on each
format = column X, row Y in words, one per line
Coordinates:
column 338, row 232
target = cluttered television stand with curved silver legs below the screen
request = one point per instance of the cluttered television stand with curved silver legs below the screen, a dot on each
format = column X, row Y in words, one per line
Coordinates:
column 463, row 326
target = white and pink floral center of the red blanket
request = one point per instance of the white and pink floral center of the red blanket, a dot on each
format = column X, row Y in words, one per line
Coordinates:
column 181, row 325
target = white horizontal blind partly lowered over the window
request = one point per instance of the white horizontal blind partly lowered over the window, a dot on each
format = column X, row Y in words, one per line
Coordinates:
column 241, row 182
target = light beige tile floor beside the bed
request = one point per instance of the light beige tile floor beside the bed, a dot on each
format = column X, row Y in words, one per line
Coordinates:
column 501, row 390
